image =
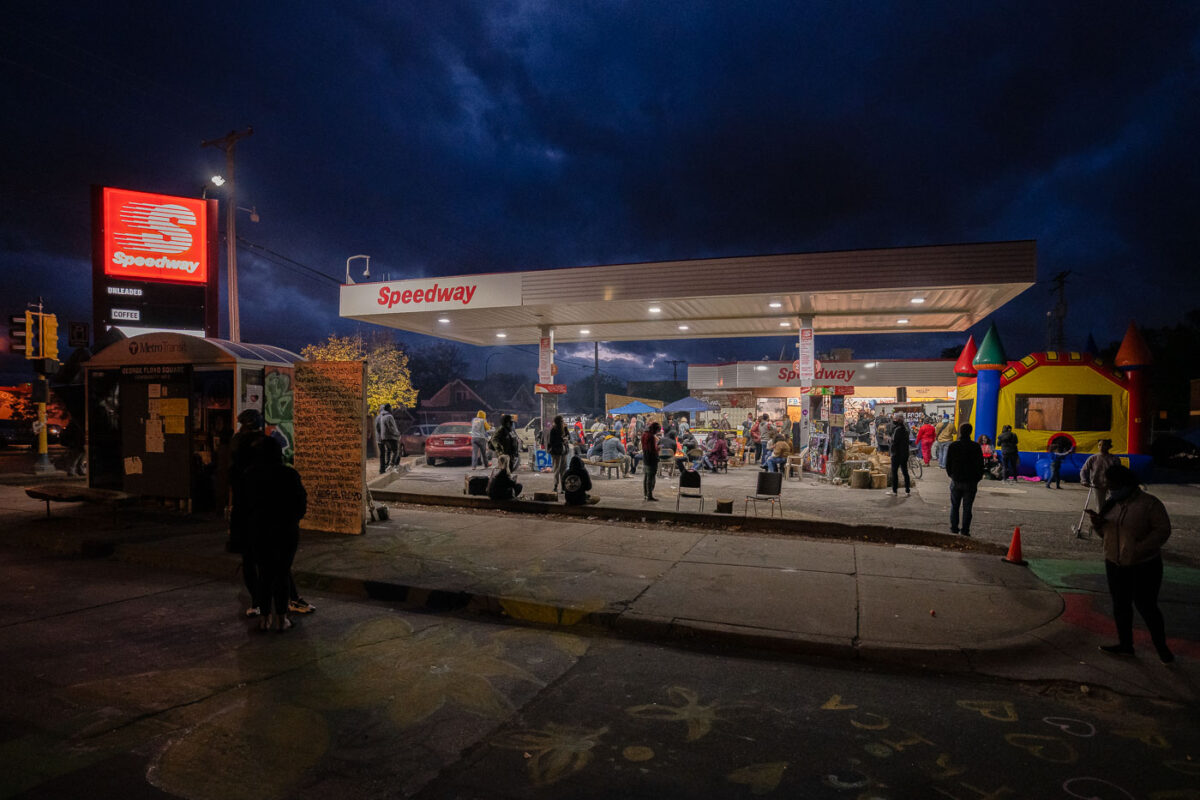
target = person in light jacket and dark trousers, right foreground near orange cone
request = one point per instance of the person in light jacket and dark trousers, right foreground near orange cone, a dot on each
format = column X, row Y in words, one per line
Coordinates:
column 1135, row 527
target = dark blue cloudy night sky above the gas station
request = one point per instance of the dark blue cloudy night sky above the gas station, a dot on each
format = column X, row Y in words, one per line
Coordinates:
column 452, row 137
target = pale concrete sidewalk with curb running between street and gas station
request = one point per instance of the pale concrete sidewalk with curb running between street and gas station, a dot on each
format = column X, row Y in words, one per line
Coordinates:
column 903, row 605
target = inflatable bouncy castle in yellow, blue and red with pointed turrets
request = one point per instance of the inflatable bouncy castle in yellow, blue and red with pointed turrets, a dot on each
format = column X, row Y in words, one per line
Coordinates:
column 1047, row 396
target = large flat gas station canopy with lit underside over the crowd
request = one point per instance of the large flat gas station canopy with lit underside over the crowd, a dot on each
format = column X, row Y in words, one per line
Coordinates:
column 903, row 290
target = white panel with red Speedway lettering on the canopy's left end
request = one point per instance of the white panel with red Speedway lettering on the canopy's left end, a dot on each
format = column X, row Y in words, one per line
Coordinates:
column 430, row 294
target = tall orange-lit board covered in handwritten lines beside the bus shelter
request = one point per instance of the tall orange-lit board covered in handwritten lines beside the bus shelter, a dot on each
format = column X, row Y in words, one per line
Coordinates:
column 329, row 417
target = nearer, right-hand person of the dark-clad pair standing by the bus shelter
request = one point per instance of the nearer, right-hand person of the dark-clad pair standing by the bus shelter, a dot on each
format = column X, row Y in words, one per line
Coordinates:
column 278, row 504
